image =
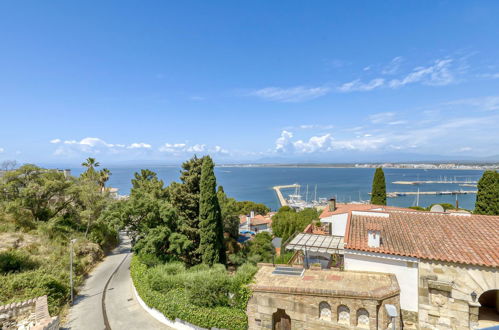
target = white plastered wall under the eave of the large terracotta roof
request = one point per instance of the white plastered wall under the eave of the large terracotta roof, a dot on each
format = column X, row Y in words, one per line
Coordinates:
column 404, row 268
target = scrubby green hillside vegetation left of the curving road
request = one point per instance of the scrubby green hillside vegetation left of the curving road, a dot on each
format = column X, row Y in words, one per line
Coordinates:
column 40, row 211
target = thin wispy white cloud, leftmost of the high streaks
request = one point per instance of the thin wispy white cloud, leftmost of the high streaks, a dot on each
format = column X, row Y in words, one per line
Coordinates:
column 292, row 94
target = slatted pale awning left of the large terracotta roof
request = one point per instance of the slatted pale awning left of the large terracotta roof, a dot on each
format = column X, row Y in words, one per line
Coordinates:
column 316, row 243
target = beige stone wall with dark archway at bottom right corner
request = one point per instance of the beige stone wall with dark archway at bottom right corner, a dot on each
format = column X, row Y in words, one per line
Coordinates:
column 445, row 300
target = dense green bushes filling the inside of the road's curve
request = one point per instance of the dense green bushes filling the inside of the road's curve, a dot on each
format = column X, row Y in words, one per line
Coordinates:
column 204, row 296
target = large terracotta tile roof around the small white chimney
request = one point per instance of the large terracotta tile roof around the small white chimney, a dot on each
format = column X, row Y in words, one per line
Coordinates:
column 472, row 239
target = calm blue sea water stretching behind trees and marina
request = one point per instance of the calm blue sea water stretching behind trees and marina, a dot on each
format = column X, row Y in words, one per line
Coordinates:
column 346, row 184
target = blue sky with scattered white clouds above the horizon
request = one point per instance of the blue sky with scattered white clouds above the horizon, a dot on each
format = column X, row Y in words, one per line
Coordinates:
column 249, row 81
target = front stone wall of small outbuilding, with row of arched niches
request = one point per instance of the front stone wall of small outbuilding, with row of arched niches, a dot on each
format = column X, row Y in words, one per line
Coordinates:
column 319, row 312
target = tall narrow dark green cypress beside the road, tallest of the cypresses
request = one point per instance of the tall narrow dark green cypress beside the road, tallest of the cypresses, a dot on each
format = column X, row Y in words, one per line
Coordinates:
column 211, row 245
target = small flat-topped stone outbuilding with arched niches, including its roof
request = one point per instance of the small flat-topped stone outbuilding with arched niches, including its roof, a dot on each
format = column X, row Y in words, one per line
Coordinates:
column 320, row 299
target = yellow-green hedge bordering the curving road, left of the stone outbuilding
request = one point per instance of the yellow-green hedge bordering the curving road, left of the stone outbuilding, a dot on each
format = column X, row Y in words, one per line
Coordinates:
column 170, row 294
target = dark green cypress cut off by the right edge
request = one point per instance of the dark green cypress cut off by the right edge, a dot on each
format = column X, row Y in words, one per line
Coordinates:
column 487, row 197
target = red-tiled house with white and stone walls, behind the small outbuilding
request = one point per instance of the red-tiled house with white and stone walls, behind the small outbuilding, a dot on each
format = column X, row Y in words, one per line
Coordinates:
column 446, row 264
